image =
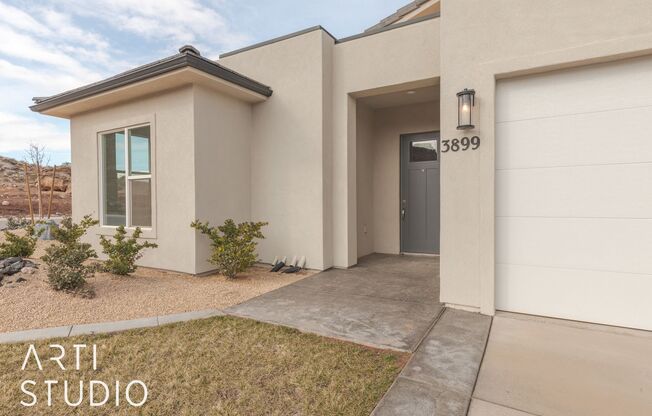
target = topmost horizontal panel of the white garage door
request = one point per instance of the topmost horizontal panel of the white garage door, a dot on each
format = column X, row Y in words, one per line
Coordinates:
column 576, row 91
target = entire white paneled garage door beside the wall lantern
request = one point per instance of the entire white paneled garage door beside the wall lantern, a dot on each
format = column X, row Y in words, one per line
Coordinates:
column 574, row 194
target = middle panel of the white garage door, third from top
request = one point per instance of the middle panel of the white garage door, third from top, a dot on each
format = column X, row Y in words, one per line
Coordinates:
column 603, row 191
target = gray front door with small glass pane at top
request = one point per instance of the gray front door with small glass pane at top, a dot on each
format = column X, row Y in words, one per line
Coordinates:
column 419, row 207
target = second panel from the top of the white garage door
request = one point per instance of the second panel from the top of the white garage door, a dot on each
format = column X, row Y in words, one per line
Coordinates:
column 584, row 139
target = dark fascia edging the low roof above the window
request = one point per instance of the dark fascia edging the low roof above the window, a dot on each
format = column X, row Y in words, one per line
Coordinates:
column 163, row 66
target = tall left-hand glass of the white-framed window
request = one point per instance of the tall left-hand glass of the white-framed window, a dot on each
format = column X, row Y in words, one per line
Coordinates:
column 113, row 162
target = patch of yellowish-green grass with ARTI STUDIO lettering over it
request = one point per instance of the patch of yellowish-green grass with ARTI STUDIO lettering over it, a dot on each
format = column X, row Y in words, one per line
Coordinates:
column 218, row 366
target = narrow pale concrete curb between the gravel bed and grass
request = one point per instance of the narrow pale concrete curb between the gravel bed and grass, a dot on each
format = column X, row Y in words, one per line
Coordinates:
column 104, row 327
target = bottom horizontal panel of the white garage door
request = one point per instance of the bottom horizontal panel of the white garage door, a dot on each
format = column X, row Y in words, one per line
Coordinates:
column 611, row 298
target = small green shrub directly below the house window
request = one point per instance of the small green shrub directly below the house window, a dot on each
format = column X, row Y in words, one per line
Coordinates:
column 124, row 252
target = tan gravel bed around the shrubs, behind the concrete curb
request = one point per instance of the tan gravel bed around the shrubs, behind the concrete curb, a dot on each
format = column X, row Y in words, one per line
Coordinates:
column 149, row 292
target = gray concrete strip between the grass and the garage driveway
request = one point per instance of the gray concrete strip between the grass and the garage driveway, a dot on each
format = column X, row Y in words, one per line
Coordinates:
column 440, row 377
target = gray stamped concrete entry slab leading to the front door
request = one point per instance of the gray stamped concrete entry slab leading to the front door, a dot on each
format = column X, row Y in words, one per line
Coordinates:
column 386, row 301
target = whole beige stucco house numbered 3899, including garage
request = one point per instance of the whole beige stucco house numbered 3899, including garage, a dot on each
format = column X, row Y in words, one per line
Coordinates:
column 508, row 137
